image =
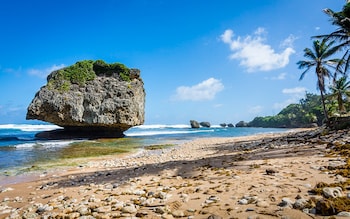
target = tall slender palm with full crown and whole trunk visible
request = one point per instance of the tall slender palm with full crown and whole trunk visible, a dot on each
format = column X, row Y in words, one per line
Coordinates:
column 318, row 58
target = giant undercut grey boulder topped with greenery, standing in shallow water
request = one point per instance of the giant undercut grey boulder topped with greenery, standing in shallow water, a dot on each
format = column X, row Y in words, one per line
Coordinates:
column 90, row 99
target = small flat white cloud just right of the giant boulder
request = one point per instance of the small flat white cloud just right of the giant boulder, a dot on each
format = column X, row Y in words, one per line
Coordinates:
column 206, row 90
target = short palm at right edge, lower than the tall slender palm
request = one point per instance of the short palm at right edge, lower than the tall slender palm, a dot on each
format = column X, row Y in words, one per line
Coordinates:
column 340, row 90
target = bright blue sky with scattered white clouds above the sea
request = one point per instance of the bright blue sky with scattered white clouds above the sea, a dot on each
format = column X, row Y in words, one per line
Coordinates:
column 218, row 61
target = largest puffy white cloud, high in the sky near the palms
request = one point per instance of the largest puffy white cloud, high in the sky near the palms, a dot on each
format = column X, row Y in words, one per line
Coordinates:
column 254, row 54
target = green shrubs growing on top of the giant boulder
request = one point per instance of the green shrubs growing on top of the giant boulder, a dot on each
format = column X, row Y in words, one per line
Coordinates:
column 84, row 71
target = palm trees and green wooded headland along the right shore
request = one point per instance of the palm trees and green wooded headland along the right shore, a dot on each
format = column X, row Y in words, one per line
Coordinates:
column 332, row 80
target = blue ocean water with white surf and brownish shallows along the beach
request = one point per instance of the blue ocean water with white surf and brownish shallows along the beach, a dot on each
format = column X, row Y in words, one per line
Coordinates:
column 20, row 152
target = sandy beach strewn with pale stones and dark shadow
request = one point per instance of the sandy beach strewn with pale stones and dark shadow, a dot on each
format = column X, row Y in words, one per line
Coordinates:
column 260, row 176
